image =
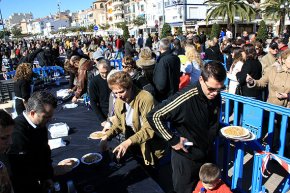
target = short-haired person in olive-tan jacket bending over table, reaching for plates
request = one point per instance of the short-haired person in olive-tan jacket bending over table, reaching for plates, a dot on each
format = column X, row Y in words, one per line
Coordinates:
column 131, row 108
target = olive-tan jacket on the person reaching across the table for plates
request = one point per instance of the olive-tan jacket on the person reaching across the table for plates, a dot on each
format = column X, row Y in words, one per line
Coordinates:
column 152, row 146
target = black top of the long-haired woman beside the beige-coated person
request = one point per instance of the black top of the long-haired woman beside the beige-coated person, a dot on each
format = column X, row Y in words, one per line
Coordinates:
column 254, row 69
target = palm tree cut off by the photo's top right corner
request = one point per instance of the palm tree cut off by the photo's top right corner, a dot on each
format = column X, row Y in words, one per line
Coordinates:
column 276, row 9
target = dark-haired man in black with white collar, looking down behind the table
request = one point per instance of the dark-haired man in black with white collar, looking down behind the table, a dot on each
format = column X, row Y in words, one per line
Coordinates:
column 30, row 155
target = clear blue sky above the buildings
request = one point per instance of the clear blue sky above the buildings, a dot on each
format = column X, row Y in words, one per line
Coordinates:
column 41, row 8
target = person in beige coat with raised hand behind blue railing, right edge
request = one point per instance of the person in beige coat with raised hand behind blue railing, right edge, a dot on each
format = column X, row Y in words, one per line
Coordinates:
column 277, row 78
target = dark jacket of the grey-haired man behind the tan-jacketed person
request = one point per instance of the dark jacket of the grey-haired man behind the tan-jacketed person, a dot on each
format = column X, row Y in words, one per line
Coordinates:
column 99, row 93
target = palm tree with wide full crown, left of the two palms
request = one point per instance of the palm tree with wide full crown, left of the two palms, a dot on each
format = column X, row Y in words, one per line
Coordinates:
column 228, row 9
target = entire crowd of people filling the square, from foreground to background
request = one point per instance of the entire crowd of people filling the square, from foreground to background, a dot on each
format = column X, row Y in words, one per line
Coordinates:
column 144, row 101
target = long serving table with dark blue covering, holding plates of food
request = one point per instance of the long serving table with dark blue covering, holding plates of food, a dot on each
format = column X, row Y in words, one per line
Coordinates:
column 106, row 176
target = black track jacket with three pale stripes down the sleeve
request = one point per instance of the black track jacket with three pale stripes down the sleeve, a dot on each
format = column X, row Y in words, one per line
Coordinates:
column 192, row 115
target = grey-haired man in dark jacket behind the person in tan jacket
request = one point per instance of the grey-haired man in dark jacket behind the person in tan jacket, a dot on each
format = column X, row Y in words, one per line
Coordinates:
column 99, row 91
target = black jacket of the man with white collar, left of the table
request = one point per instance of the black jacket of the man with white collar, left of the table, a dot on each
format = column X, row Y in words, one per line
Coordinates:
column 29, row 156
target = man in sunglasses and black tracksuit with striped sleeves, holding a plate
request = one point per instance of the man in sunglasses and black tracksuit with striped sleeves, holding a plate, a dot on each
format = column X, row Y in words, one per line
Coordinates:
column 194, row 113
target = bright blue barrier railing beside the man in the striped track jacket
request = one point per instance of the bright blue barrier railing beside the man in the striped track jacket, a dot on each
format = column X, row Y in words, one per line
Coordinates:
column 250, row 114
